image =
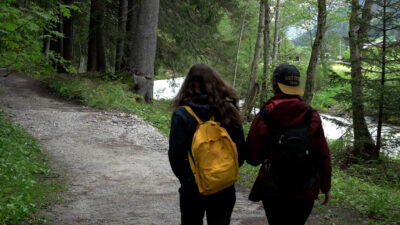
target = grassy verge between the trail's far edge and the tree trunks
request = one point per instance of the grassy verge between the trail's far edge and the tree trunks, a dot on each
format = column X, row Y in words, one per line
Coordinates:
column 115, row 95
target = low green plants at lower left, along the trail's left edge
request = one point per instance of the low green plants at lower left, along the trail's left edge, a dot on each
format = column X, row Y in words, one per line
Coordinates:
column 25, row 178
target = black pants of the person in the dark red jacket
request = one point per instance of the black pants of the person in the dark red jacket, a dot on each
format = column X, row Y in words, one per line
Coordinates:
column 287, row 211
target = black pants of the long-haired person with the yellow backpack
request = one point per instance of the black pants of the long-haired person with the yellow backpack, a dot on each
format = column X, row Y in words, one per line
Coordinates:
column 218, row 207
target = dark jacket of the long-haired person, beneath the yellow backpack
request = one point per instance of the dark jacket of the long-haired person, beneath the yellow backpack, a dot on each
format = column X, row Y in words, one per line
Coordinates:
column 183, row 127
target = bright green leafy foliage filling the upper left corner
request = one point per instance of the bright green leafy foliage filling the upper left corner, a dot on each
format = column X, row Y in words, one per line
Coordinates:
column 23, row 30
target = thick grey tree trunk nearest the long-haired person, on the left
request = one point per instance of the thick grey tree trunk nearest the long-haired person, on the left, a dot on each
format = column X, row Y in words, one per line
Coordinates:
column 141, row 60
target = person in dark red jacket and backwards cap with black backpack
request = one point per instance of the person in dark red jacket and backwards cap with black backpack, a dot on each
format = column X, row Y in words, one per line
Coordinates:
column 292, row 174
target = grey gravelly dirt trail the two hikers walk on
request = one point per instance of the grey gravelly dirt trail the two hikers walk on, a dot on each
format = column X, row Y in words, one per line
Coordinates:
column 116, row 166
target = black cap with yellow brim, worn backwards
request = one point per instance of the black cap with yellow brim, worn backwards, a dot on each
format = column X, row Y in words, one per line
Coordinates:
column 288, row 79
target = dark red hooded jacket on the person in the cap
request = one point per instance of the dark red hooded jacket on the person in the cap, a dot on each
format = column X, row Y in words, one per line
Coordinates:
column 287, row 111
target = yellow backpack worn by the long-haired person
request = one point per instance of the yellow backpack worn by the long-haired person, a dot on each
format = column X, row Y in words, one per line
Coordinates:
column 213, row 158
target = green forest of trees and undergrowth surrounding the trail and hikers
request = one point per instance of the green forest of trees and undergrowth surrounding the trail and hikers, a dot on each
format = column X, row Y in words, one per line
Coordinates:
column 108, row 54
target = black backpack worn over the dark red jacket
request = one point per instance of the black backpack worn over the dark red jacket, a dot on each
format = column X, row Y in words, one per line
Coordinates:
column 293, row 170
